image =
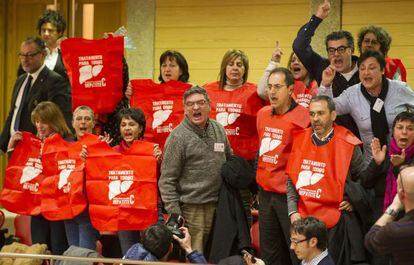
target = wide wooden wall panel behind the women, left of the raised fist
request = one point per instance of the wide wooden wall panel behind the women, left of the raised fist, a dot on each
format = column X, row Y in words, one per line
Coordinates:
column 204, row 30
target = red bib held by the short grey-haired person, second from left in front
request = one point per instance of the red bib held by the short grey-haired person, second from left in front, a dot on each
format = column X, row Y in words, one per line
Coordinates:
column 63, row 192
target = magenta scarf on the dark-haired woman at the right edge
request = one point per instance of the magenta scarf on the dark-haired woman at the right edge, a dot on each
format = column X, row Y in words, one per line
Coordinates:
column 391, row 179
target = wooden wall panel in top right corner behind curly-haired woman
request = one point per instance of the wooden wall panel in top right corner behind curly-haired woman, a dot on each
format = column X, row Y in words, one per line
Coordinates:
column 394, row 16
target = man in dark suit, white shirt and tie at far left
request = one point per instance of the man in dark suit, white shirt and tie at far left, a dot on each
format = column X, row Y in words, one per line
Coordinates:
column 37, row 84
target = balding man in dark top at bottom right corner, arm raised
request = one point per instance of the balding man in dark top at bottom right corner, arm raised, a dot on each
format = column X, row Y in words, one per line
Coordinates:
column 396, row 238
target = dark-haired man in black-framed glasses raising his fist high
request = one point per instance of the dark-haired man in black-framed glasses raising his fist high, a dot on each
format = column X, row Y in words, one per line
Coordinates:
column 340, row 49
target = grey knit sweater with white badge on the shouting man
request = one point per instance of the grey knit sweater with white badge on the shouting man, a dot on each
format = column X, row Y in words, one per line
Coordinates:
column 190, row 171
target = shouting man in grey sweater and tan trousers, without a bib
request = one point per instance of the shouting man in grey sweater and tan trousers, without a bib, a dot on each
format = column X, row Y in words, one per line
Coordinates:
column 191, row 169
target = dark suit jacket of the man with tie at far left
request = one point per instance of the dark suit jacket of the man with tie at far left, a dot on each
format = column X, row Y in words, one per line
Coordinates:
column 49, row 86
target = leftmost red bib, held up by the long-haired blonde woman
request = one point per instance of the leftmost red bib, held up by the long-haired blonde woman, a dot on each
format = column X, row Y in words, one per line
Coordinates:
column 23, row 178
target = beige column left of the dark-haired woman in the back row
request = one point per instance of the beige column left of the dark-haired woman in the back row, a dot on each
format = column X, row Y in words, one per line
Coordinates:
column 140, row 23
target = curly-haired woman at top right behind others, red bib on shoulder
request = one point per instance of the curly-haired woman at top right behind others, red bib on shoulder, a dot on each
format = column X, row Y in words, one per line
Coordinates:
column 375, row 38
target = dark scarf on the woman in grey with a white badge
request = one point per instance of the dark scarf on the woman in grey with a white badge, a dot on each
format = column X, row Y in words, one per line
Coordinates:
column 379, row 122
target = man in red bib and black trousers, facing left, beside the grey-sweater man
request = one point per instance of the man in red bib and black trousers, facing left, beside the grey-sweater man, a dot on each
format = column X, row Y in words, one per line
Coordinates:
column 276, row 125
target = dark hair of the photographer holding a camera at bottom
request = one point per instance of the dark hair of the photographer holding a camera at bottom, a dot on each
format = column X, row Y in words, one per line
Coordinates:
column 157, row 239
